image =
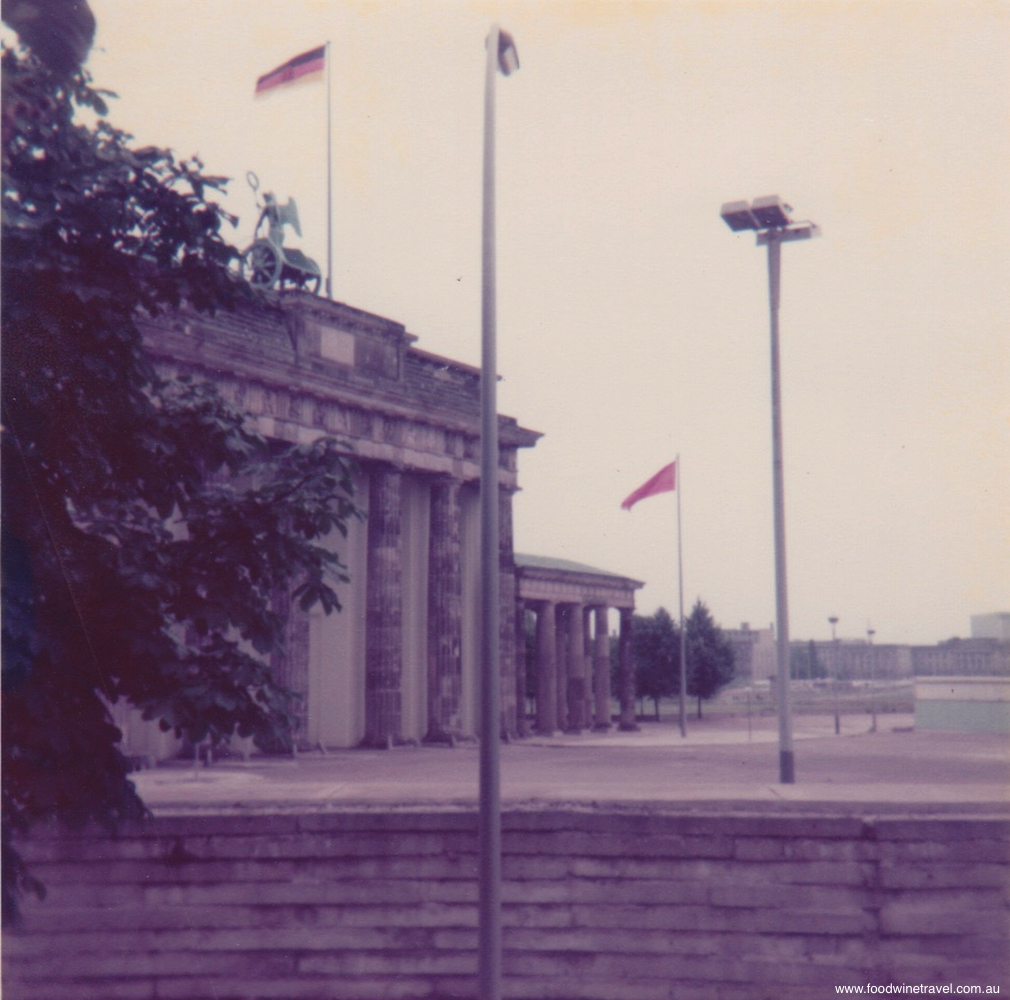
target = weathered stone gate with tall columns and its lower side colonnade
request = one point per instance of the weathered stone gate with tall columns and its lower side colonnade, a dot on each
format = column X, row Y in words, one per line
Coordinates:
column 400, row 662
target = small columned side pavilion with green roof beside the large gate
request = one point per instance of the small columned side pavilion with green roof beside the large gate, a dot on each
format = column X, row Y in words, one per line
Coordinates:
column 571, row 604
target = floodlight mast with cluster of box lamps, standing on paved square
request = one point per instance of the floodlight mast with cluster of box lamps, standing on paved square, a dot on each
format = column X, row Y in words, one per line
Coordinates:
column 770, row 219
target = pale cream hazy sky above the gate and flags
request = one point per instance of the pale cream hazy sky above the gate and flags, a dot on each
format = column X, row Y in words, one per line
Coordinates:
column 633, row 325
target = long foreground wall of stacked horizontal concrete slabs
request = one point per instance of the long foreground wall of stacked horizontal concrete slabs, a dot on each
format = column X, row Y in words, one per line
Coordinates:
column 613, row 906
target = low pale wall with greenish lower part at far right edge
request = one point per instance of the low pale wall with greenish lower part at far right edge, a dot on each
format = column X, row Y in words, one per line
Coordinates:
column 966, row 705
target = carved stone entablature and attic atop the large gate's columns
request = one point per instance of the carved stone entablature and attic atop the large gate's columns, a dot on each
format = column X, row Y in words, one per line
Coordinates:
column 326, row 368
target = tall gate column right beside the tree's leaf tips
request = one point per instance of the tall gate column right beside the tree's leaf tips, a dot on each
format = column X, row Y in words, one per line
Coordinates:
column 384, row 616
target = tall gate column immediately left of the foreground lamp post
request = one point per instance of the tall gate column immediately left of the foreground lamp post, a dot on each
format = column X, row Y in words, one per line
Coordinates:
column 445, row 615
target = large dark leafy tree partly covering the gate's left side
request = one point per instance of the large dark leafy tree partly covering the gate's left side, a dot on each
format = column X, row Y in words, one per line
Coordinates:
column 147, row 527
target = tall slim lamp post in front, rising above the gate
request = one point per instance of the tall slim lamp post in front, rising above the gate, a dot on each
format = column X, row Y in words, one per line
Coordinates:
column 502, row 57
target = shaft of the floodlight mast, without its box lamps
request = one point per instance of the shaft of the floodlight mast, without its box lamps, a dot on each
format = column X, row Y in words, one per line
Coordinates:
column 787, row 772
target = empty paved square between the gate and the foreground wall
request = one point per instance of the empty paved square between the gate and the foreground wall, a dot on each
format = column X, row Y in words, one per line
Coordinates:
column 720, row 762
